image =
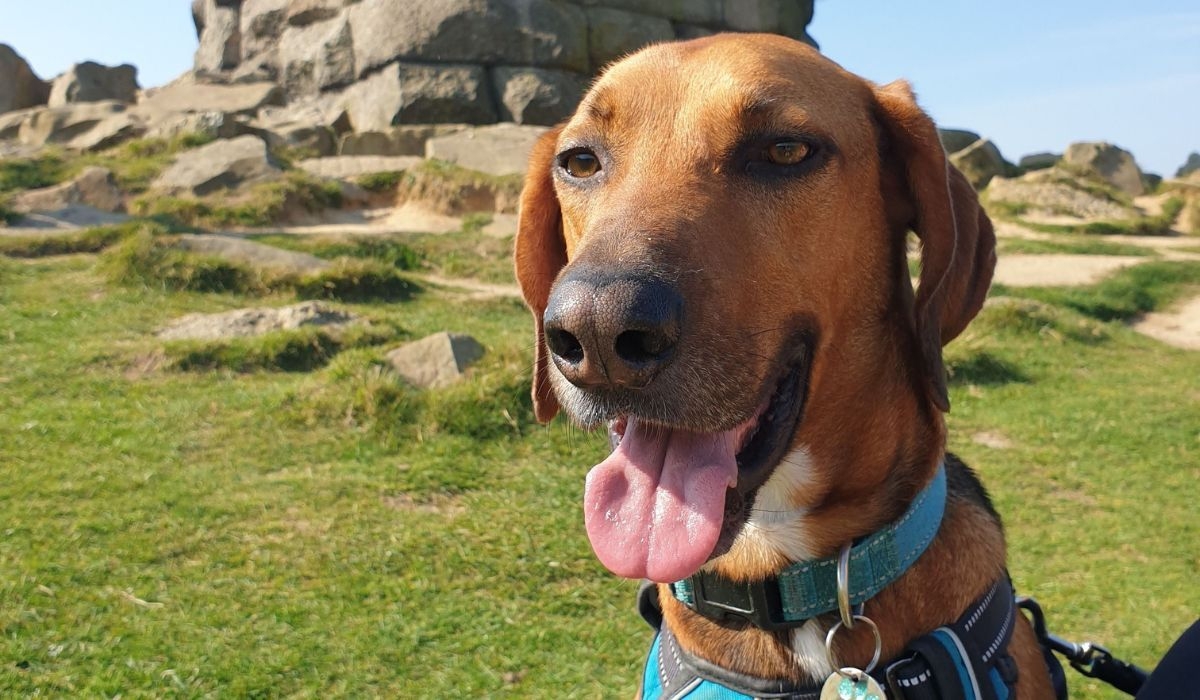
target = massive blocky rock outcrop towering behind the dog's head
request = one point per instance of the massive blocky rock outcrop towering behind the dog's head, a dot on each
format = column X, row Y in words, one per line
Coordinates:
column 327, row 50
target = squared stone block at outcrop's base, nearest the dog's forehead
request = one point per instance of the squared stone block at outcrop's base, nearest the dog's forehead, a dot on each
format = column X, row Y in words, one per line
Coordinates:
column 538, row 95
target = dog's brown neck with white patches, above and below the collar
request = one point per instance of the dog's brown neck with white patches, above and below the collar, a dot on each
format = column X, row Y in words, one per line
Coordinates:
column 843, row 483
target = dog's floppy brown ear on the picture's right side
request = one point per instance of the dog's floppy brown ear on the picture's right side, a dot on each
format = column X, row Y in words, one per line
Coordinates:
column 958, row 247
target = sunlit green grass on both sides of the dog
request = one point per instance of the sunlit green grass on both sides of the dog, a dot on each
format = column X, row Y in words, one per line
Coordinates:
column 337, row 534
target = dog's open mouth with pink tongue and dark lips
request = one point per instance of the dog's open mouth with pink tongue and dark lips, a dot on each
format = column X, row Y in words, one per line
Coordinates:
column 669, row 500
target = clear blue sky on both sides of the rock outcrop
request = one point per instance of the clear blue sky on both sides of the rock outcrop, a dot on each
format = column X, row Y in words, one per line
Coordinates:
column 1030, row 75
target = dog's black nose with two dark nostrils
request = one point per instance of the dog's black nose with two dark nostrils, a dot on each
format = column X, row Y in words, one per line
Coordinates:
column 613, row 332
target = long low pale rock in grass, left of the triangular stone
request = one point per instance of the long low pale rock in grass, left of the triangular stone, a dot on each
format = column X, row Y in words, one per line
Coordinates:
column 251, row 322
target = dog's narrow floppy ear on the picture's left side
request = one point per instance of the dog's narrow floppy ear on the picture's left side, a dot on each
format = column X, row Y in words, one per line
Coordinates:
column 541, row 253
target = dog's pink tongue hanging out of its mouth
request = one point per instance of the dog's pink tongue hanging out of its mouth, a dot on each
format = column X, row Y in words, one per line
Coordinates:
column 655, row 508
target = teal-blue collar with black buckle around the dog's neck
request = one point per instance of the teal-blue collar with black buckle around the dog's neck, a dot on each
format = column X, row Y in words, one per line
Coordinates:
column 808, row 589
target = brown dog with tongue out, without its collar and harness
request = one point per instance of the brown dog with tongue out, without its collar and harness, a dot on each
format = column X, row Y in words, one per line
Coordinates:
column 715, row 253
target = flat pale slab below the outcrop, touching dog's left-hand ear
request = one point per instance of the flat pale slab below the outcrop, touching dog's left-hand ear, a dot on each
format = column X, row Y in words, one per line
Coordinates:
column 501, row 149
